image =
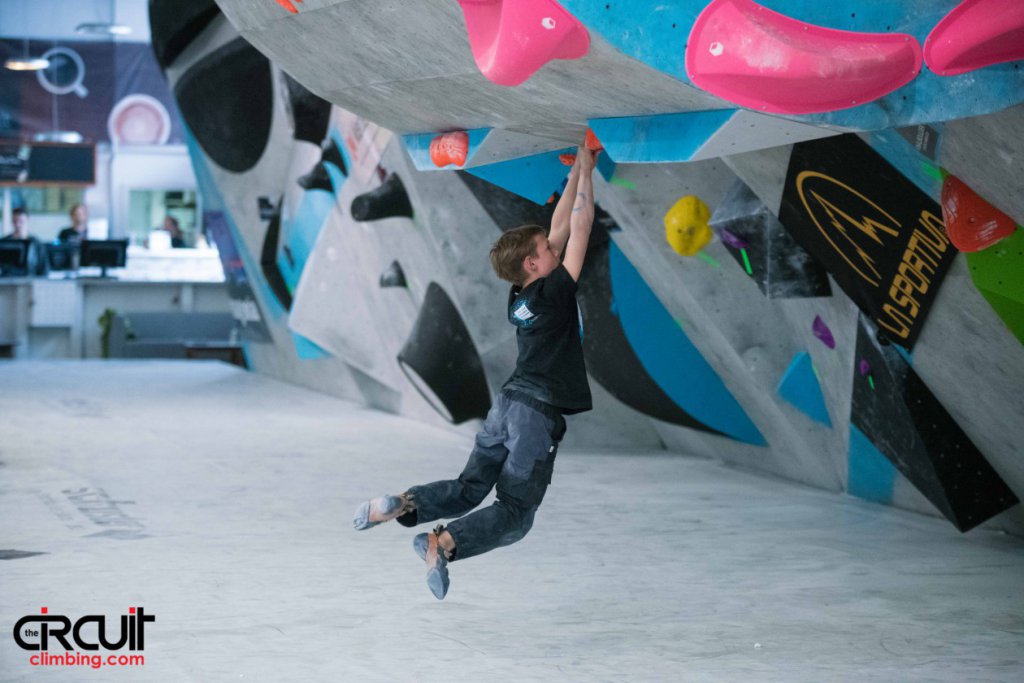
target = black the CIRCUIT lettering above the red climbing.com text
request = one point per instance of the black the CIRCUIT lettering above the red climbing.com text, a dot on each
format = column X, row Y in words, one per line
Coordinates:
column 39, row 632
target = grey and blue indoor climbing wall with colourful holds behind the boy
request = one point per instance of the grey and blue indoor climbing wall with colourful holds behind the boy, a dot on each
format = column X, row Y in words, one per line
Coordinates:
column 806, row 259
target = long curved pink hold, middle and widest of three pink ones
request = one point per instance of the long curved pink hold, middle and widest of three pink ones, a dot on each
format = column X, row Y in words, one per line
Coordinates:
column 764, row 61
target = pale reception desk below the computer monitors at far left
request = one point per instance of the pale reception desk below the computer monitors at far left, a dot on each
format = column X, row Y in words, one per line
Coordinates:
column 44, row 318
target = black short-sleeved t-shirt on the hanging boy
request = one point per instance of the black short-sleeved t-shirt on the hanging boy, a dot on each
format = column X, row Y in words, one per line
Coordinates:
column 549, row 334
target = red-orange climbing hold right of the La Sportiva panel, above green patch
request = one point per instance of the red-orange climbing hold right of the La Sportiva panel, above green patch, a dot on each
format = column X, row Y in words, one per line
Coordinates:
column 972, row 224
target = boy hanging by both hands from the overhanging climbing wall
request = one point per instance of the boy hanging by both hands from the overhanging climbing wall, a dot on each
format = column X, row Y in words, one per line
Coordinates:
column 516, row 451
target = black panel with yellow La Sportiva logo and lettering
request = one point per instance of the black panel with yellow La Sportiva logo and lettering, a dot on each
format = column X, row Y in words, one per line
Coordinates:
column 880, row 237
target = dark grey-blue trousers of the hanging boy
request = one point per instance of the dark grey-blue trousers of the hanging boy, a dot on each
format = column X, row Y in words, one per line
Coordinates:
column 516, row 453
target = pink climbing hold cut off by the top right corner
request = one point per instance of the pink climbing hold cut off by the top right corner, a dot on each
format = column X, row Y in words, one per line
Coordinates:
column 976, row 34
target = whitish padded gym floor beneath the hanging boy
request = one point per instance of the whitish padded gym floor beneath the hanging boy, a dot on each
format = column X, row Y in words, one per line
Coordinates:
column 221, row 502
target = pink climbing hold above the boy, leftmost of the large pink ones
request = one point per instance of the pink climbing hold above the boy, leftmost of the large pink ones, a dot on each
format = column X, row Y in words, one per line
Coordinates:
column 513, row 39
